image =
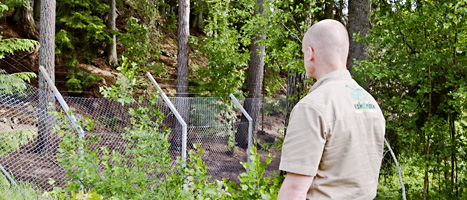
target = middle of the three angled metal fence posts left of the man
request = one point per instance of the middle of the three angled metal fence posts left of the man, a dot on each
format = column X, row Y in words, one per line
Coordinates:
column 177, row 115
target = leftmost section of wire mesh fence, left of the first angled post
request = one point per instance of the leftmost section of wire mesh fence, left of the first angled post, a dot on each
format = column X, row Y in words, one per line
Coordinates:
column 27, row 147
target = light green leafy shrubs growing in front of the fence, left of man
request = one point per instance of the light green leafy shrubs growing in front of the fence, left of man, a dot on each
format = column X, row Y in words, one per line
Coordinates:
column 145, row 169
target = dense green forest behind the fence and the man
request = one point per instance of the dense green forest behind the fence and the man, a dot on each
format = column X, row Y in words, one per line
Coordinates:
column 409, row 54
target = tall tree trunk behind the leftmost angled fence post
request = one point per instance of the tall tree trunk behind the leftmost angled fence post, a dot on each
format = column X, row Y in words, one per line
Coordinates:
column 46, row 59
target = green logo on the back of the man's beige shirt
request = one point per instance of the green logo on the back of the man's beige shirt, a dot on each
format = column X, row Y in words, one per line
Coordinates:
column 361, row 99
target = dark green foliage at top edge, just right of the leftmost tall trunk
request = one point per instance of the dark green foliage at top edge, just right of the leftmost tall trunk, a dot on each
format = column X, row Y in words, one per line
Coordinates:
column 80, row 26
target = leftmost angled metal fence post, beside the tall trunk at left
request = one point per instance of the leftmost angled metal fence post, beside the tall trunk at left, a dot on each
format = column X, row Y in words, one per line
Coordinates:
column 65, row 108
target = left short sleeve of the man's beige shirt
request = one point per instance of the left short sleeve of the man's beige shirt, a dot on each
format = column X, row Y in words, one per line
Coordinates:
column 304, row 142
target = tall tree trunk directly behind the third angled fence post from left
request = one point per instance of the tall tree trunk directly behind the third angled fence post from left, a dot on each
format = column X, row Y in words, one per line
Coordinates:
column 254, row 83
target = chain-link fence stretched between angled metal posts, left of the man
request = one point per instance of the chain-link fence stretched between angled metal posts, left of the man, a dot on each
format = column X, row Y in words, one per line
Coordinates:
column 28, row 145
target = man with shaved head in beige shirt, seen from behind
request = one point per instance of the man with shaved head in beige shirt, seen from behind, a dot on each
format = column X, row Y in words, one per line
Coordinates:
column 334, row 143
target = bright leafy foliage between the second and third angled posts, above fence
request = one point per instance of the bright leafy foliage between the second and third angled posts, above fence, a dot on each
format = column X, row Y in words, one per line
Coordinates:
column 225, row 71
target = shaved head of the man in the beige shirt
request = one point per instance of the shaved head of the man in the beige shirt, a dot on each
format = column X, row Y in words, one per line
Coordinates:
column 329, row 42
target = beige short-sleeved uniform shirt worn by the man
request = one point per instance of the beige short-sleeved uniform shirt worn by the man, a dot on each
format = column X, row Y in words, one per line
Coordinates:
column 336, row 134
